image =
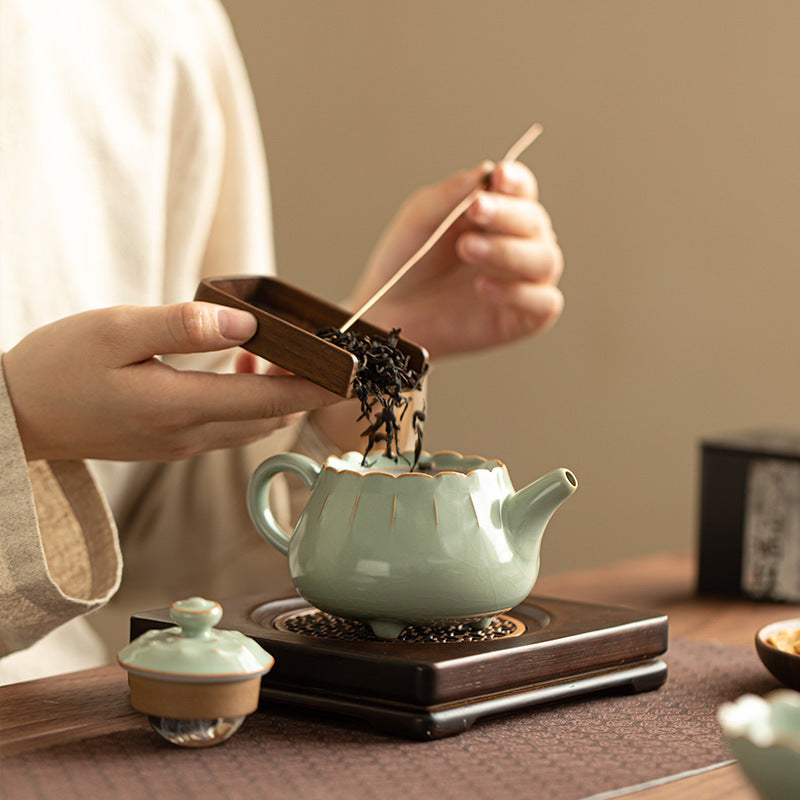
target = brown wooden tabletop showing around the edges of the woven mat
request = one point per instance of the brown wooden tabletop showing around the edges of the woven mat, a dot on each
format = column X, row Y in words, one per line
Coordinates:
column 40, row 714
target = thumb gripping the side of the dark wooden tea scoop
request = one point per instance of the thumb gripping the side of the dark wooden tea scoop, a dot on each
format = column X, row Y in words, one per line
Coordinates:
column 136, row 333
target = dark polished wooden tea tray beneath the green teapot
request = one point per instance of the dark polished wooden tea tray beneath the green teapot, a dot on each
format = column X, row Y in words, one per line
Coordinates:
column 430, row 689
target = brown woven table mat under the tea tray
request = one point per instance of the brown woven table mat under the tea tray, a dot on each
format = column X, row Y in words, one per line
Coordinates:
column 571, row 749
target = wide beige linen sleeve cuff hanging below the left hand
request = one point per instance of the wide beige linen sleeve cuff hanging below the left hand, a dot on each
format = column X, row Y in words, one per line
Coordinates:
column 59, row 555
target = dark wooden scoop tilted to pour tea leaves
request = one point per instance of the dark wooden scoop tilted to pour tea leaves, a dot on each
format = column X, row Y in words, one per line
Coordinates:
column 288, row 320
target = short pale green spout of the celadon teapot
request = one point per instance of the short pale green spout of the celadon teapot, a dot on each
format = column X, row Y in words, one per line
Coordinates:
column 526, row 513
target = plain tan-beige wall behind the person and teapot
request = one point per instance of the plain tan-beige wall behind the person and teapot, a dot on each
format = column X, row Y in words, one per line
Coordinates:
column 670, row 166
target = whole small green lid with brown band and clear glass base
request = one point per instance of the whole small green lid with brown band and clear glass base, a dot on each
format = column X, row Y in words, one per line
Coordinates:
column 195, row 683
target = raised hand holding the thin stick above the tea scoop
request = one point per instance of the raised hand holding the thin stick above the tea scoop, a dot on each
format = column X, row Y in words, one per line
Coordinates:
column 489, row 280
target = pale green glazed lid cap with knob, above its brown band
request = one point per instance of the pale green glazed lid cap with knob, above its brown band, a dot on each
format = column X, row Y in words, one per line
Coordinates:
column 195, row 651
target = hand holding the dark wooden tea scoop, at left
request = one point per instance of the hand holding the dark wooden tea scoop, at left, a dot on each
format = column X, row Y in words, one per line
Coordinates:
column 90, row 386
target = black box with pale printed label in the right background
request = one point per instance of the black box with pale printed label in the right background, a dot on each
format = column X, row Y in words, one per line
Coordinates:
column 750, row 516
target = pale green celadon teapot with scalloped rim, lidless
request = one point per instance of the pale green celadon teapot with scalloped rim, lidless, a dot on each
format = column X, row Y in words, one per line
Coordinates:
column 449, row 543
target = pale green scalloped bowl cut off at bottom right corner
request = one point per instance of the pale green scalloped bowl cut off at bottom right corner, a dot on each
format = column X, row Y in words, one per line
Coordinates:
column 764, row 736
